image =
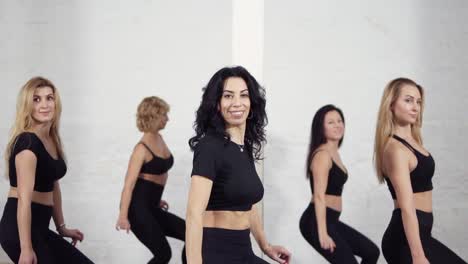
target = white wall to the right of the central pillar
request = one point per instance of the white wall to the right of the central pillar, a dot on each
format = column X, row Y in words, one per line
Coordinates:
column 319, row 52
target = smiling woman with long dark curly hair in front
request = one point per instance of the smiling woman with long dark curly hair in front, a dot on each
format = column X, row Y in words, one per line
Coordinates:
column 225, row 187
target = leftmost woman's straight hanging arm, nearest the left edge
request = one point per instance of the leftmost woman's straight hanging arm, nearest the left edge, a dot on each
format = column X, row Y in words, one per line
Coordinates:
column 26, row 162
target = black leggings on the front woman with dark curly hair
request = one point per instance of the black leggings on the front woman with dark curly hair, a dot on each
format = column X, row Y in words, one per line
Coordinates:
column 228, row 247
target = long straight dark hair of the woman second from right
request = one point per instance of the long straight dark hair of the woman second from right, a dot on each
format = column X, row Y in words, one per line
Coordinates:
column 317, row 133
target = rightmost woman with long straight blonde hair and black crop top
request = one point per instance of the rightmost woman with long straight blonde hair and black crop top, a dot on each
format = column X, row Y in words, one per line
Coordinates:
column 407, row 167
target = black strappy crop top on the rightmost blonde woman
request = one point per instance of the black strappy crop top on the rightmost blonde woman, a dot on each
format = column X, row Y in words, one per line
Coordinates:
column 421, row 176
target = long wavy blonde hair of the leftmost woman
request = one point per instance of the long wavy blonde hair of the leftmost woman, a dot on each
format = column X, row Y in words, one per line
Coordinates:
column 24, row 120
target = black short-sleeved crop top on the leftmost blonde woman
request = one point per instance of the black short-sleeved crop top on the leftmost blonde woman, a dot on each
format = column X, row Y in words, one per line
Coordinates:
column 48, row 169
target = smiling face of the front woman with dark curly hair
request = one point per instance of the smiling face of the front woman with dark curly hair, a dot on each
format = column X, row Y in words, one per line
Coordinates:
column 235, row 102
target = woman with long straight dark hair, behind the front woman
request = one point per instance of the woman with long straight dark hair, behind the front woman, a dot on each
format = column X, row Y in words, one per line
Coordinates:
column 320, row 224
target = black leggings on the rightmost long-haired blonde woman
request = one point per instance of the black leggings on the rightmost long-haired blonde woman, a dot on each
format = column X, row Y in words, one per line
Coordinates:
column 395, row 247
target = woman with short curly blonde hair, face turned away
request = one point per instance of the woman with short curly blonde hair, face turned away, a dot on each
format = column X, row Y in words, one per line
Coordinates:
column 141, row 209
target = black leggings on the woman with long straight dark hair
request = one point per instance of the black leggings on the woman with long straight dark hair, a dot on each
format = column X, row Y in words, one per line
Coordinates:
column 348, row 241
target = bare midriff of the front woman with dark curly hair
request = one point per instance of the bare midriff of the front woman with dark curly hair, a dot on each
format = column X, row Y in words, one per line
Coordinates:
column 234, row 220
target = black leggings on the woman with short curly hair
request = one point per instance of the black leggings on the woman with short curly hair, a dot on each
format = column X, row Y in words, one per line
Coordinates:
column 151, row 224
